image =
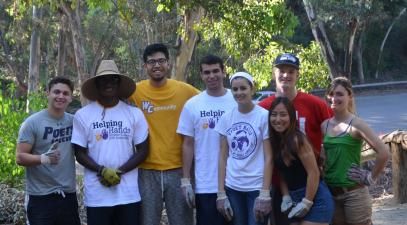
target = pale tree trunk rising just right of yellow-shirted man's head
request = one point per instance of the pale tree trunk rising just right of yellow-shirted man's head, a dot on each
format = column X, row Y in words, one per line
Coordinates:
column 187, row 42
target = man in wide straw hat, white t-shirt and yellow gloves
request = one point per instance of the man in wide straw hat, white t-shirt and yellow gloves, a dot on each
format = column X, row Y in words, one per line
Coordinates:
column 110, row 139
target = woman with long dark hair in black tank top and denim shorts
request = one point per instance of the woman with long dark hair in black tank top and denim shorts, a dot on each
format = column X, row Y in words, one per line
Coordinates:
column 306, row 198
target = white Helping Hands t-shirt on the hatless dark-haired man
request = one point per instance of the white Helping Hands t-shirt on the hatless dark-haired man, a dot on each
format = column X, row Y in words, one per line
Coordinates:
column 198, row 119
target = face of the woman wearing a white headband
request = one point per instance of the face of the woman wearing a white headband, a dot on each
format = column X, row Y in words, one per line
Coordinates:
column 242, row 90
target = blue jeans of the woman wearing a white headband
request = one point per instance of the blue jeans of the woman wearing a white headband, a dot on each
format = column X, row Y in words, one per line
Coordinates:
column 242, row 204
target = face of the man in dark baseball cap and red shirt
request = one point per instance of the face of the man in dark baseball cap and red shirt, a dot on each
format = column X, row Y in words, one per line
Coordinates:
column 286, row 78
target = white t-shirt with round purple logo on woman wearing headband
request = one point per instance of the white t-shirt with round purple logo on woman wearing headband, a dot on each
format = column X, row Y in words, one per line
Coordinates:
column 245, row 134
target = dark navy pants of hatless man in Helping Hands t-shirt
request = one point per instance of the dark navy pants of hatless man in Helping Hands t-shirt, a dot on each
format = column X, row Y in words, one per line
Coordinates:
column 206, row 212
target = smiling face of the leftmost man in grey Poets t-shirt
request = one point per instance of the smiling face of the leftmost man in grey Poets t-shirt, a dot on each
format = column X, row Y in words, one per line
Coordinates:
column 59, row 96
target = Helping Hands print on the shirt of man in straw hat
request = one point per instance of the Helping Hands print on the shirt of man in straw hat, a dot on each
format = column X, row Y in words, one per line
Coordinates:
column 110, row 130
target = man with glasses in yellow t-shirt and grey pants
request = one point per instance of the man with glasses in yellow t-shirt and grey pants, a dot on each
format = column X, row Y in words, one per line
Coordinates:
column 161, row 100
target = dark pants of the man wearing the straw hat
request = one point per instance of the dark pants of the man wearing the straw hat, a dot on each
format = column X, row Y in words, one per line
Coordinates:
column 128, row 214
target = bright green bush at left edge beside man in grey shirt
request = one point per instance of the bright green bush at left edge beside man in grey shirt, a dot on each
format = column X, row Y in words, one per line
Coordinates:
column 12, row 114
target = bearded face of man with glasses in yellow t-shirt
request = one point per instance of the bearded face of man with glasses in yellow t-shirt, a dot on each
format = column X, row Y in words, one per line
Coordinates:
column 157, row 67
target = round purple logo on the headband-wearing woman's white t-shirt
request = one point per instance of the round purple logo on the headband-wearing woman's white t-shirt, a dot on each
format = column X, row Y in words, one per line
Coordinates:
column 243, row 140
